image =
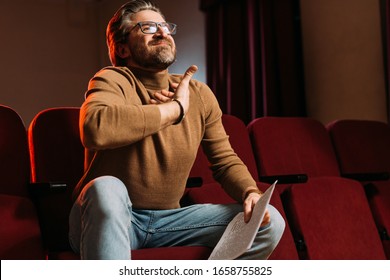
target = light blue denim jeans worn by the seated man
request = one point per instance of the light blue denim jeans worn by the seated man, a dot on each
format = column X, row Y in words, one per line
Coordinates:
column 103, row 224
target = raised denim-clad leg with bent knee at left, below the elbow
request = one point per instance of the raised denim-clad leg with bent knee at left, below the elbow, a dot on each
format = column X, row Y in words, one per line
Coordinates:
column 101, row 215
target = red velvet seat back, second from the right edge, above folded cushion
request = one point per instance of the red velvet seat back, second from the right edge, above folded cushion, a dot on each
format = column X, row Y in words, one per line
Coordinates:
column 284, row 146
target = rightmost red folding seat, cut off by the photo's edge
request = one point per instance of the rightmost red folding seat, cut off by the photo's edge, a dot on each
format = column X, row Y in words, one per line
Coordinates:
column 363, row 151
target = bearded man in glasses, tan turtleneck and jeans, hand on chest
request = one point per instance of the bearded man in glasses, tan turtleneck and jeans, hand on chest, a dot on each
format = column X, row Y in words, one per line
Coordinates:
column 141, row 128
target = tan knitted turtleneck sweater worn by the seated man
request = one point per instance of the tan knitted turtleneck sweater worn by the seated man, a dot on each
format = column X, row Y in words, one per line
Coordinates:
column 120, row 131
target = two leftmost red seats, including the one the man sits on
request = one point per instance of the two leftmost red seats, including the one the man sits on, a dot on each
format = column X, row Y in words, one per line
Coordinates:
column 35, row 204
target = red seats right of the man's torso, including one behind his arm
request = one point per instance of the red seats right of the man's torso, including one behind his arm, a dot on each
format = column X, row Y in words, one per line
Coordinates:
column 329, row 215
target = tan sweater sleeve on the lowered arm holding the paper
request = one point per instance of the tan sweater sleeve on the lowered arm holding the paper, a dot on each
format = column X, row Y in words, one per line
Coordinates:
column 228, row 169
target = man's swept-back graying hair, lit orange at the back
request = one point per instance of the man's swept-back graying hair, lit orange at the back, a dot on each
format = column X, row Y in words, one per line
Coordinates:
column 120, row 23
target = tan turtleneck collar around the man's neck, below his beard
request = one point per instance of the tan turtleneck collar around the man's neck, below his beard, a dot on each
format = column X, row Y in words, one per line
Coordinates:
column 151, row 80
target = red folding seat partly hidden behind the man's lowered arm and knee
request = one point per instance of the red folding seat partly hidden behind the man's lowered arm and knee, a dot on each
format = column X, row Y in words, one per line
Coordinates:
column 211, row 191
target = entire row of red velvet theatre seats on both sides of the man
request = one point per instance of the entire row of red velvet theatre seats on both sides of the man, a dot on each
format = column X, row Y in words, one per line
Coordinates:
column 333, row 188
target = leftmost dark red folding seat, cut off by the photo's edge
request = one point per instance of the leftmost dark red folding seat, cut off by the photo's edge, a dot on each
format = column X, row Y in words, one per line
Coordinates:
column 20, row 235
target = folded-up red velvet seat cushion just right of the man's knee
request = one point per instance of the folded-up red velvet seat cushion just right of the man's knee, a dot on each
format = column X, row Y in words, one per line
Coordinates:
column 332, row 217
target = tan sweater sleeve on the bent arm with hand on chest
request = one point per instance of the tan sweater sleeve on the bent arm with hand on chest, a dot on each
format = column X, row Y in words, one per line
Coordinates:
column 113, row 114
